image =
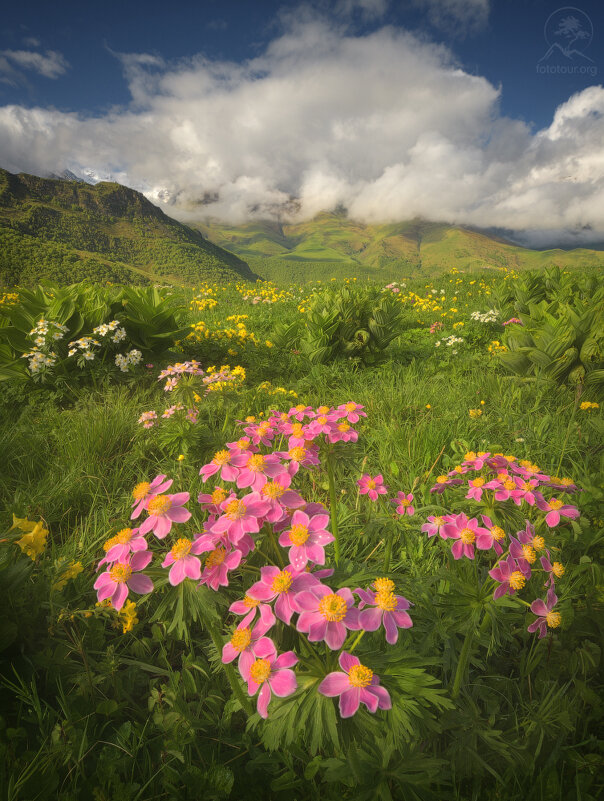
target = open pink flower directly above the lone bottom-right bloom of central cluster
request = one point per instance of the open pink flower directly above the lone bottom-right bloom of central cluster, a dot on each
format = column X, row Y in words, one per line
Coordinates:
column 326, row 615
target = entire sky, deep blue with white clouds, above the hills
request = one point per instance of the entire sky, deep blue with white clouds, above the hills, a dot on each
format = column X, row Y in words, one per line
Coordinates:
column 448, row 109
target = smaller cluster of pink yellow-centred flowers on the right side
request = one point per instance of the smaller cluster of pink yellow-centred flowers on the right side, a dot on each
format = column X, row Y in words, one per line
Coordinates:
column 496, row 479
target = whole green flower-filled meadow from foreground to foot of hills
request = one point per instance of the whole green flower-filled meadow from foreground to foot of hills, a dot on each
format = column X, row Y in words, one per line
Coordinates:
column 316, row 541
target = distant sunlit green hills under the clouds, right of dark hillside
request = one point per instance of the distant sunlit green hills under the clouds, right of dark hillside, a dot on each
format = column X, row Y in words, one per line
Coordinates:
column 404, row 249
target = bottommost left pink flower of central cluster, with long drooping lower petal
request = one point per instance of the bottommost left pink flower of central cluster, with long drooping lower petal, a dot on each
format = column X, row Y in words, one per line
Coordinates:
column 270, row 673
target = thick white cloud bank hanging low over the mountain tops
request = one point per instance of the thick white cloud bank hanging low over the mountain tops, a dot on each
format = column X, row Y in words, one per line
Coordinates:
column 386, row 124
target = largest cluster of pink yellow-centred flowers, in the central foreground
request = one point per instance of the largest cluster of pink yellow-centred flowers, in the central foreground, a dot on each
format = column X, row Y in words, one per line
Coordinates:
column 260, row 503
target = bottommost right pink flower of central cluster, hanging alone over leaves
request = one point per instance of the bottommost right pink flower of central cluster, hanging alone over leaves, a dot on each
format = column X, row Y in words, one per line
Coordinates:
column 357, row 684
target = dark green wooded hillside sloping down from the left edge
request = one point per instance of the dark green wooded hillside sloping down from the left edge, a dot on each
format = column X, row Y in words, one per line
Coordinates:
column 67, row 230
